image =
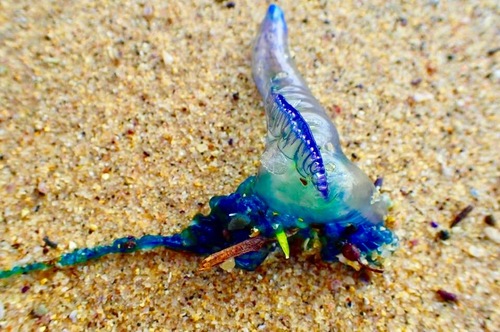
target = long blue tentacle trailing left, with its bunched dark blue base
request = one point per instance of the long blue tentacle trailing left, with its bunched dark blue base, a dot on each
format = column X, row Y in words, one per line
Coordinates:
column 232, row 221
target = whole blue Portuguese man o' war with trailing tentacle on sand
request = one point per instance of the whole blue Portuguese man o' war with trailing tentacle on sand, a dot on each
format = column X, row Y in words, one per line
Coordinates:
column 306, row 190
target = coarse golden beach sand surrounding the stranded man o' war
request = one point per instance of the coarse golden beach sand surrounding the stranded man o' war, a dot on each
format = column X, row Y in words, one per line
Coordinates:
column 124, row 119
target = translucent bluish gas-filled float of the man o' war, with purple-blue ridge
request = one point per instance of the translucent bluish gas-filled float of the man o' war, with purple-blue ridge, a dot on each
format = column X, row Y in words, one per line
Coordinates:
column 304, row 171
